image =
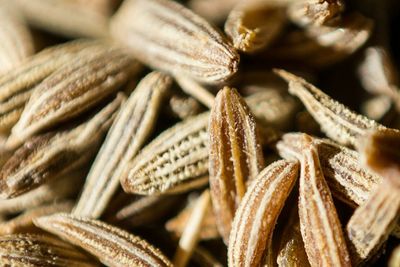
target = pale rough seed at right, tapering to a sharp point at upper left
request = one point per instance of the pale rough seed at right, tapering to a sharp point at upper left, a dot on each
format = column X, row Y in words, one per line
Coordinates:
column 336, row 120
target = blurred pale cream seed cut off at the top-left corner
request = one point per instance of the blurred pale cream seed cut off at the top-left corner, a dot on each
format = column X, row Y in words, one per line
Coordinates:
column 16, row 40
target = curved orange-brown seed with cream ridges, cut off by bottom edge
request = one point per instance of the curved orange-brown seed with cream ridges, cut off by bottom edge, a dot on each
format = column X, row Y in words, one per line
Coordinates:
column 258, row 212
